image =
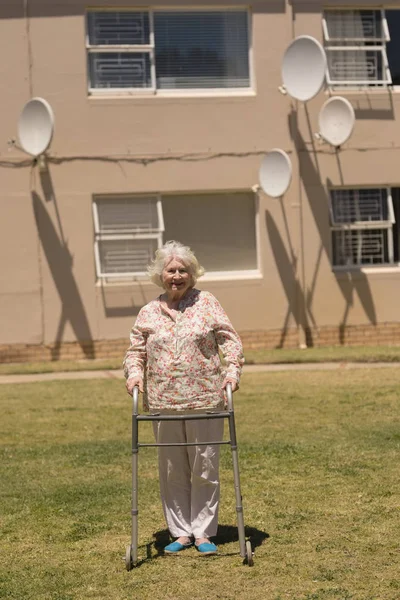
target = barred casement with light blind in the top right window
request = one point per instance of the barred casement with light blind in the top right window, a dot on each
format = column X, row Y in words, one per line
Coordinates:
column 355, row 45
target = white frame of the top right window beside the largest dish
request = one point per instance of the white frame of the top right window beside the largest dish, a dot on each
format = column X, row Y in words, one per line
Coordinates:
column 330, row 46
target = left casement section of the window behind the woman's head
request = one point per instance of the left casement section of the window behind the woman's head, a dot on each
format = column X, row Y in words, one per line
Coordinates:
column 128, row 230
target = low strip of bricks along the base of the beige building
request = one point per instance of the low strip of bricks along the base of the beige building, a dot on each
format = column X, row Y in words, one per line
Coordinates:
column 355, row 335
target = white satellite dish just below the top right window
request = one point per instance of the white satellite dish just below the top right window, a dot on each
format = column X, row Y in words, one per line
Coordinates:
column 336, row 120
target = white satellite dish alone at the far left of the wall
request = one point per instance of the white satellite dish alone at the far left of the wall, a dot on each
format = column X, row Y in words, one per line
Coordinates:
column 35, row 126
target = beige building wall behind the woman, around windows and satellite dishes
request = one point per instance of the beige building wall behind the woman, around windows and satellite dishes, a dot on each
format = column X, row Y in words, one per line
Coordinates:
column 49, row 293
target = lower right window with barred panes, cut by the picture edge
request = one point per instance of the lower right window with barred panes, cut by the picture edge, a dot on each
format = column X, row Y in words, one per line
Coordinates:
column 365, row 226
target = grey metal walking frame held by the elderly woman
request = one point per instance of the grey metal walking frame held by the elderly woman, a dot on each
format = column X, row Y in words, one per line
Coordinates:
column 131, row 556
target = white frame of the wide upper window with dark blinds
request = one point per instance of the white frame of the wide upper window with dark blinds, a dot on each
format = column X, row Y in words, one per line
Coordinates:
column 150, row 48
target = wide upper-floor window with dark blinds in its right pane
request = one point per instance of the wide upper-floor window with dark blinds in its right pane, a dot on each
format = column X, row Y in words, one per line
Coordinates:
column 159, row 50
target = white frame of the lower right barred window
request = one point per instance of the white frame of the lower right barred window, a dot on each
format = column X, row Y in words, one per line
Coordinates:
column 365, row 226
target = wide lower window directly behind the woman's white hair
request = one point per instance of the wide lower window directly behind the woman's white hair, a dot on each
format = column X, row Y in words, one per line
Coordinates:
column 220, row 227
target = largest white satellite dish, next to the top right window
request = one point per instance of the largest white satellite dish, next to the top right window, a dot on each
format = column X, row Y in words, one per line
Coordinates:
column 304, row 68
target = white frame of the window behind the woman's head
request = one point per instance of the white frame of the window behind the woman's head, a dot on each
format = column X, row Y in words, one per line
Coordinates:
column 121, row 278
